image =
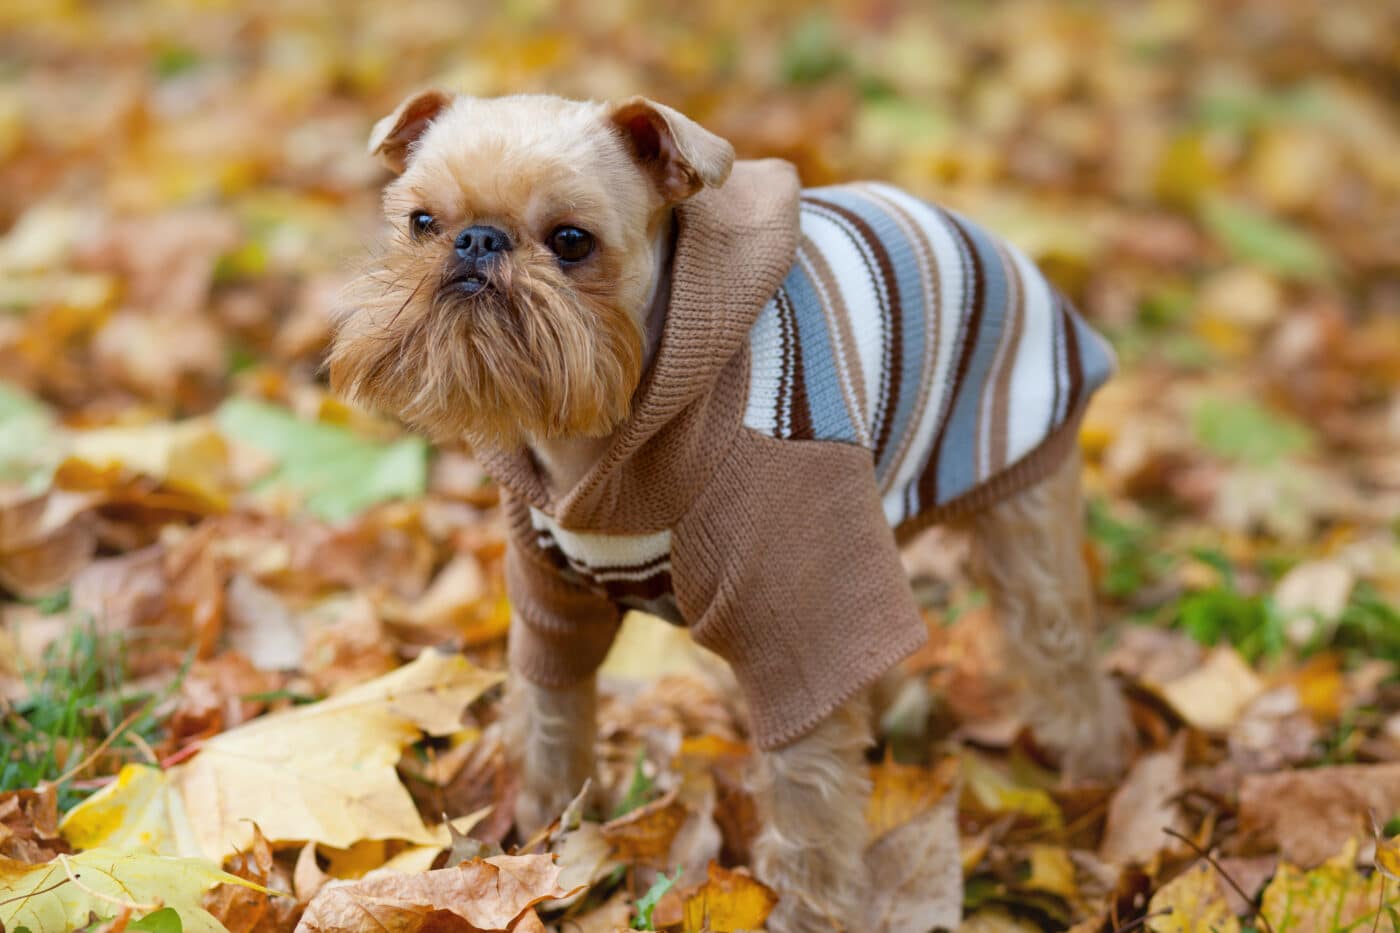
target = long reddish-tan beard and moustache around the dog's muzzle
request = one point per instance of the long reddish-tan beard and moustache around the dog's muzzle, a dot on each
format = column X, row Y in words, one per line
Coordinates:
column 527, row 358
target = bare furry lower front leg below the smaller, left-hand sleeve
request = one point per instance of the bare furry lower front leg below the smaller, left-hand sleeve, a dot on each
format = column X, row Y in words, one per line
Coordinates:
column 551, row 736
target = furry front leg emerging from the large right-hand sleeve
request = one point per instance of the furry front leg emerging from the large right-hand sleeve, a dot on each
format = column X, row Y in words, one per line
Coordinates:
column 813, row 798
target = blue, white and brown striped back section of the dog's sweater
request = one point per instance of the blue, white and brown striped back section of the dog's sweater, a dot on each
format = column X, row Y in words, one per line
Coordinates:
column 913, row 333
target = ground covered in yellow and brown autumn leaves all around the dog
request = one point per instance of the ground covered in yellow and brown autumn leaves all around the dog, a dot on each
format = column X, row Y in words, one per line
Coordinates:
column 240, row 617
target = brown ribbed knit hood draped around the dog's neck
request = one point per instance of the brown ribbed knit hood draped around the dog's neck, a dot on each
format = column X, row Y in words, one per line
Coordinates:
column 734, row 247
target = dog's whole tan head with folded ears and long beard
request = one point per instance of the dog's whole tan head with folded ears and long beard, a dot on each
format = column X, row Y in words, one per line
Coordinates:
column 527, row 236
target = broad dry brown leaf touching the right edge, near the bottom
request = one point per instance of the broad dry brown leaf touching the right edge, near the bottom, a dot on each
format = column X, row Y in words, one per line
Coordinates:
column 1311, row 815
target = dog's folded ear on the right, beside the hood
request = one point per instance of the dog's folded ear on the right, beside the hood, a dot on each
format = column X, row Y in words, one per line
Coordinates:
column 678, row 155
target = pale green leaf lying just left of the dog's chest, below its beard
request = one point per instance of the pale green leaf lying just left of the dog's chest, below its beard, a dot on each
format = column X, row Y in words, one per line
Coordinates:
column 334, row 470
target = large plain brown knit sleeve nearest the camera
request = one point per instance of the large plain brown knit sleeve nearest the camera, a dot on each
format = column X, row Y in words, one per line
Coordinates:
column 787, row 569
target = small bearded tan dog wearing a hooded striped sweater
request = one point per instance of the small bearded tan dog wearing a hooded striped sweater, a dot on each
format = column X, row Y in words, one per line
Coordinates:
column 726, row 401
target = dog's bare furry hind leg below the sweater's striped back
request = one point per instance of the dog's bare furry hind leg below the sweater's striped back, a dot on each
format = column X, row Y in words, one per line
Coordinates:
column 1028, row 551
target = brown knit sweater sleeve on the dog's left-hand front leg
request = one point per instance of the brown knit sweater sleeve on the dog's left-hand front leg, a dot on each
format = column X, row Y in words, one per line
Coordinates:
column 561, row 630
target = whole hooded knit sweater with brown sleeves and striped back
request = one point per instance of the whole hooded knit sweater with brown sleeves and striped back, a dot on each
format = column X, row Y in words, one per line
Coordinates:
column 839, row 369
